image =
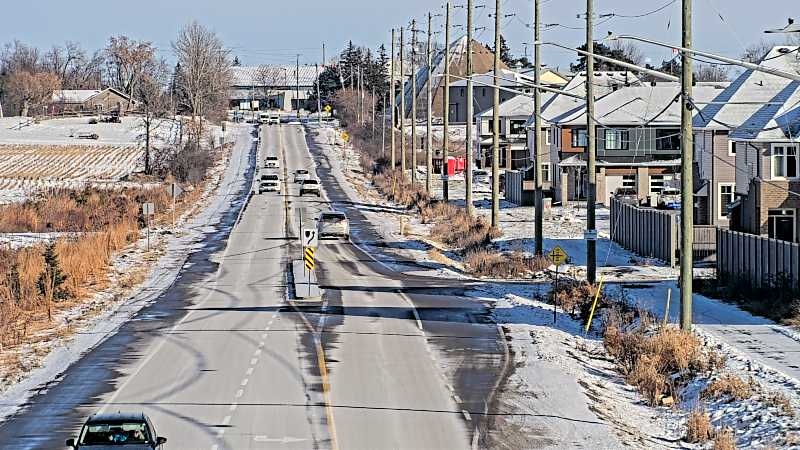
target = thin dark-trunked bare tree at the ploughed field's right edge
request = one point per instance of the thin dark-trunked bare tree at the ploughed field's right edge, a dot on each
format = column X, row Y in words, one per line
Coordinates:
column 152, row 94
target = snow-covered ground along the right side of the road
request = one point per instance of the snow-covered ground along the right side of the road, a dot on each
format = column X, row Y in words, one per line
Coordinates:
column 755, row 348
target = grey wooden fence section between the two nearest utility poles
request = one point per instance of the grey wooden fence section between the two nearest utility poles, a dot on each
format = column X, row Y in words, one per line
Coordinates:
column 647, row 232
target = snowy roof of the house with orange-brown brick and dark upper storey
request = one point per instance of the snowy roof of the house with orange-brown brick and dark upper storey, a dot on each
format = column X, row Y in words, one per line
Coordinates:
column 638, row 105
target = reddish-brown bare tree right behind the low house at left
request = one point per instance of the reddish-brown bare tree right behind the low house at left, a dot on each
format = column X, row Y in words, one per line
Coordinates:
column 126, row 61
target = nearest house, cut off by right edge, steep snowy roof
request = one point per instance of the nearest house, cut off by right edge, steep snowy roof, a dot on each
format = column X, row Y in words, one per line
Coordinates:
column 760, row 113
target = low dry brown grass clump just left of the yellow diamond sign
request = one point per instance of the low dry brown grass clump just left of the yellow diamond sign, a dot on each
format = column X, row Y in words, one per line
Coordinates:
column 493, row 264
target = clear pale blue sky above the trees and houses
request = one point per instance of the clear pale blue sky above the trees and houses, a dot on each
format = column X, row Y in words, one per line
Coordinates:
column 275, row 31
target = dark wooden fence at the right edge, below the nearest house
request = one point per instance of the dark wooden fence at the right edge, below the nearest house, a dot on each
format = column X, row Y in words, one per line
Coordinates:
column 762, row 261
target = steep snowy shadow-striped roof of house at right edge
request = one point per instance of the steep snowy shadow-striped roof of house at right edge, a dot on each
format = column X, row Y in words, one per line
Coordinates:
column 757, row 105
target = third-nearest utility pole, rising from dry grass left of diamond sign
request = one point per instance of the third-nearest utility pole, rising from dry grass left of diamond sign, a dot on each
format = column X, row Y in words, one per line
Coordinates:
column 537, row 129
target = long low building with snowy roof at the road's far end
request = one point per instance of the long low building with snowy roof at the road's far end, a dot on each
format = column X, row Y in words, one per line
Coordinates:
column 273, row 87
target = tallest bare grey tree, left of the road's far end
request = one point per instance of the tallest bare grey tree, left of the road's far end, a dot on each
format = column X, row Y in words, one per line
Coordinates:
column 205, row 71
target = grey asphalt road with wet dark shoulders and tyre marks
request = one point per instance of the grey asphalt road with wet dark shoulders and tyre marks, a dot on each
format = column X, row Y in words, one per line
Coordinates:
column 225, row 360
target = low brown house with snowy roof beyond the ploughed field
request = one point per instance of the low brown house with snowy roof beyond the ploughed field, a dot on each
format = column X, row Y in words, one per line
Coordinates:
column 106, row 101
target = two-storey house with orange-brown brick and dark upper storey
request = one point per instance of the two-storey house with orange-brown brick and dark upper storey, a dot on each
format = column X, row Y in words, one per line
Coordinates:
column 638, row 140
